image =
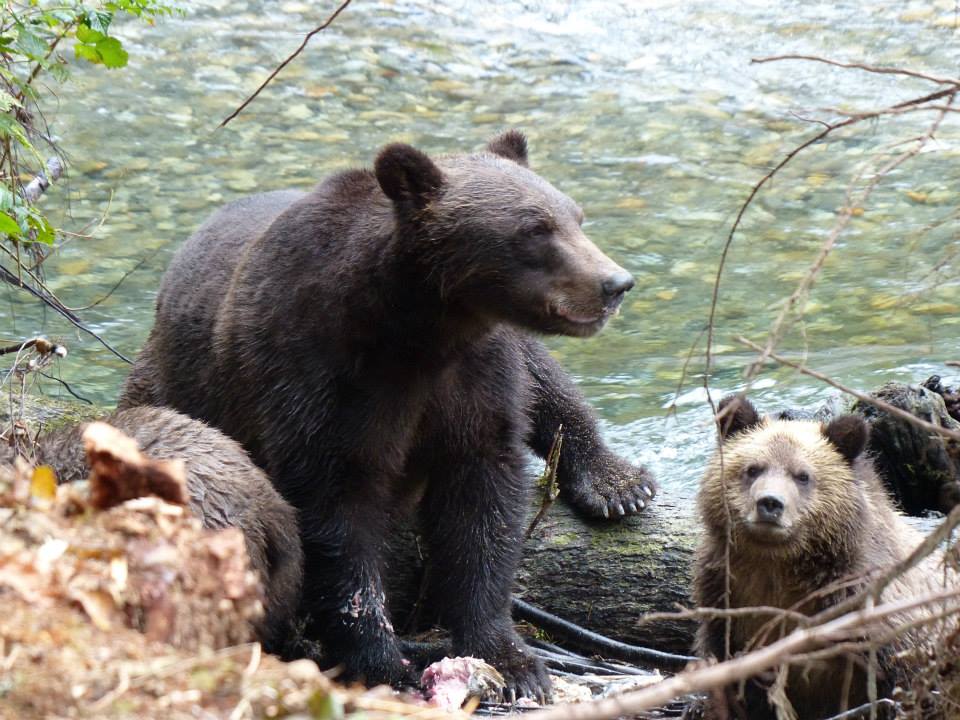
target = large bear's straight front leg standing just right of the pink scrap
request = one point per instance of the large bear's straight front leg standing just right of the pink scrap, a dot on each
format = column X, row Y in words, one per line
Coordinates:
column 472, row 524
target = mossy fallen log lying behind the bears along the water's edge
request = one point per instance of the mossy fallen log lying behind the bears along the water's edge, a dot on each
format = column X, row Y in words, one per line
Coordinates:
column 605, row 576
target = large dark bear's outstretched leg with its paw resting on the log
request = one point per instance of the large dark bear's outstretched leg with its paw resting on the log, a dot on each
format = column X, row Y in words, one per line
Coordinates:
column 596, row 481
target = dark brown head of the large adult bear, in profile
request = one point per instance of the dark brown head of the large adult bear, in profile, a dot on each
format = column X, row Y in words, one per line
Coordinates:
column 498, row 240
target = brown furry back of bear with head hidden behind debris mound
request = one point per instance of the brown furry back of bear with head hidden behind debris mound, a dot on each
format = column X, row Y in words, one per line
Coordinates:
column 226, row 490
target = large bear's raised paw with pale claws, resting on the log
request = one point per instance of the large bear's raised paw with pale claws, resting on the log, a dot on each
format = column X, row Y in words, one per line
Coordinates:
column 610, row 487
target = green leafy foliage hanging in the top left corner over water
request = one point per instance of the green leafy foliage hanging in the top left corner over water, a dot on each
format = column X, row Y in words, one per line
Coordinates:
column 33, row 38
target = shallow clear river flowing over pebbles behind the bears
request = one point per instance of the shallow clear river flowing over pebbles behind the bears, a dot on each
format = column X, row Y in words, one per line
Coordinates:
column 649, row 113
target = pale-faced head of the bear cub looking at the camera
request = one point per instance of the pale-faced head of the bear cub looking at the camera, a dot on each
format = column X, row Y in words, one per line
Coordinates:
column 785, row 487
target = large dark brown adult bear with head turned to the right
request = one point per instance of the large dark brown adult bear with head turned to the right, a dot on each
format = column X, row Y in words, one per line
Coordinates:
column 366, row 343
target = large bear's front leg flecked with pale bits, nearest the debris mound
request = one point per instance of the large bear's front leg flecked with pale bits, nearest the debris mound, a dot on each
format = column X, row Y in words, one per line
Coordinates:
column 343, row 598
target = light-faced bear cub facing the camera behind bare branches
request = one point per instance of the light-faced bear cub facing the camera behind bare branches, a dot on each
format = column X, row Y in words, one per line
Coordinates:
column 796, row 512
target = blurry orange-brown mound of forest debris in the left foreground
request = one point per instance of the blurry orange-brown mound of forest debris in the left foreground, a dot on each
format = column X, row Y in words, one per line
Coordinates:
column 138, row 611
